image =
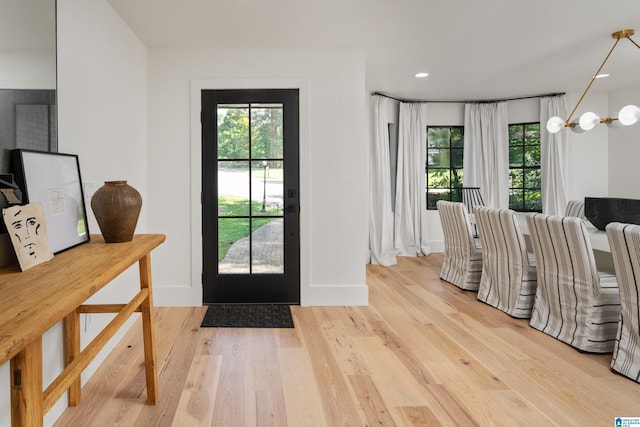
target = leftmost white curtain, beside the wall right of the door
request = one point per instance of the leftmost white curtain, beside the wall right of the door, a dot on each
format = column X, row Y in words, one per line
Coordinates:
column 381, row 246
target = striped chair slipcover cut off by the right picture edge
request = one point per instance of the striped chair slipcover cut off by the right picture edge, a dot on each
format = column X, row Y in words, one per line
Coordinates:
column 624, row 240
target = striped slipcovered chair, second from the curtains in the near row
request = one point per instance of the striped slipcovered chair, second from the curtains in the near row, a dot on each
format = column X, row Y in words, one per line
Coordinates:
column 508, row 272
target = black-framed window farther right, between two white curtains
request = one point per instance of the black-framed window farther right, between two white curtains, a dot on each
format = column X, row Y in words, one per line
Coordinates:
column 525, row 187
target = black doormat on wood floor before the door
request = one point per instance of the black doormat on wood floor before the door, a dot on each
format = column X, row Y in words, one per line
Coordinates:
column 248, row 316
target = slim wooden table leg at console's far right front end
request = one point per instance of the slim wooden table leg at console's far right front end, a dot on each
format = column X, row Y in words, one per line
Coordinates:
column 148, row 332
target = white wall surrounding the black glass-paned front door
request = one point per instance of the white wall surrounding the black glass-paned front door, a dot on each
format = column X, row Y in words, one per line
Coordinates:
column 333, row 163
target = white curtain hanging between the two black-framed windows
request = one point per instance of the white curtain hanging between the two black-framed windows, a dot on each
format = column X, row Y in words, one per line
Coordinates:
column 486, row 151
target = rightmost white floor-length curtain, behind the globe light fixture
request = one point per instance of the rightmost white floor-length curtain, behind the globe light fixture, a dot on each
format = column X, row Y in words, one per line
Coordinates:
column 553, row 157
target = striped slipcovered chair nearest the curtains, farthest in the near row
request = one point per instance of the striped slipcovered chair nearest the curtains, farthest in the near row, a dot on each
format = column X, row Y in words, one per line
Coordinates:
column 462, row 264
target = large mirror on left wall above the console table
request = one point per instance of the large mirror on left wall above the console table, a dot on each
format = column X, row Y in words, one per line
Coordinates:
column 28, row 116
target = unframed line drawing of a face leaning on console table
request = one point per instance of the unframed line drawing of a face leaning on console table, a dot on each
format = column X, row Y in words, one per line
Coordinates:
column 27, row 229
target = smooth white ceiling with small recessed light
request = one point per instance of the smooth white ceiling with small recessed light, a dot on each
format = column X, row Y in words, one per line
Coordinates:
column 472, row 49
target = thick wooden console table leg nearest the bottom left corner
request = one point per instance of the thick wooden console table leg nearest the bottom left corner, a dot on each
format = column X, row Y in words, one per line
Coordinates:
column 26, row 385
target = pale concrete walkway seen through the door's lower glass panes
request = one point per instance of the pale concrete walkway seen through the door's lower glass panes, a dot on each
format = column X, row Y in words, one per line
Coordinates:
column 267, row 248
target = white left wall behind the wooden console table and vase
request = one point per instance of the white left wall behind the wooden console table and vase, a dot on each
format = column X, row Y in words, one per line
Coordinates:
column 102, row 110
